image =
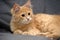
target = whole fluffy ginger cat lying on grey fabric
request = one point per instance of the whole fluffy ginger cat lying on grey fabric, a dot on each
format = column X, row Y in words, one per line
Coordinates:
column 25, row 22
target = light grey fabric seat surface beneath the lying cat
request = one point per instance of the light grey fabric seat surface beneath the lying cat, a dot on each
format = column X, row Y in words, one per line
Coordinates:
column 6, row 36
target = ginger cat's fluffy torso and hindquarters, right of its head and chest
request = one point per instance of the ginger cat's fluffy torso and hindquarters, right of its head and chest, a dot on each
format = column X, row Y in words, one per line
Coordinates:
column 49, row 24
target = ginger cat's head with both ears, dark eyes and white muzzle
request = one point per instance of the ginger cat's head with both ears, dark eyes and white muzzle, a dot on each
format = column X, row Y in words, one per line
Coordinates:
column 22, row 14
